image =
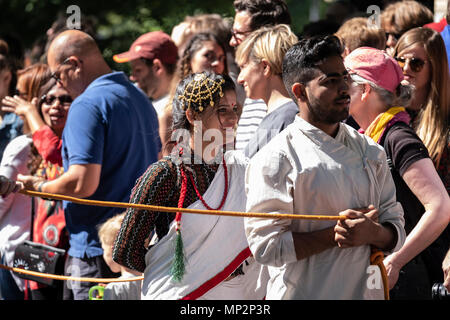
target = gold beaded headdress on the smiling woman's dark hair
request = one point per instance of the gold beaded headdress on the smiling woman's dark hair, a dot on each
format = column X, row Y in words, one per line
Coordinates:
column 200, row 89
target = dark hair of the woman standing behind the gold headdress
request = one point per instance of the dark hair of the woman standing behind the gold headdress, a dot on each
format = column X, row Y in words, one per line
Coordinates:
column 195, row 44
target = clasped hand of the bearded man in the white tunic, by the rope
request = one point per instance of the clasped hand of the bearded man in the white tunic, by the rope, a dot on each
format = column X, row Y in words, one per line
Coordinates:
column 358, row 229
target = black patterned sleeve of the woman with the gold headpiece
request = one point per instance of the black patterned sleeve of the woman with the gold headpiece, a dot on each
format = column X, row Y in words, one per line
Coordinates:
column 154, row 187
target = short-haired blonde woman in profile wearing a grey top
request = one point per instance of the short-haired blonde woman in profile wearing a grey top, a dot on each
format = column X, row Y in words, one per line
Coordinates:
column 260, row 57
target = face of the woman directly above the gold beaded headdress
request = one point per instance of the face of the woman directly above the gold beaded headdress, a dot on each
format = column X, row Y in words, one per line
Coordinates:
column 209, row 57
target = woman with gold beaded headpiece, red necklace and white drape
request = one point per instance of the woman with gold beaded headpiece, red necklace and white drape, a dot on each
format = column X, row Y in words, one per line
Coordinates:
column 193, row 256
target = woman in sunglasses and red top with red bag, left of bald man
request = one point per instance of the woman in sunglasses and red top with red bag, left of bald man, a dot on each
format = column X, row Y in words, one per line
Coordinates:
column 45, row 114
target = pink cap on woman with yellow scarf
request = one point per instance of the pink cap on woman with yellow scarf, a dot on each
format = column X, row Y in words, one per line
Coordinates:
column 376, row 66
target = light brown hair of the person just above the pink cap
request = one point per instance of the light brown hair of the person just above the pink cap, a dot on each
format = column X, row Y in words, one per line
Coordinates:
column 355, row 33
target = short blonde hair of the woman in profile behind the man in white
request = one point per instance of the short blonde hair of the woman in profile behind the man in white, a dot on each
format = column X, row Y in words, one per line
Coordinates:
column 270, row 43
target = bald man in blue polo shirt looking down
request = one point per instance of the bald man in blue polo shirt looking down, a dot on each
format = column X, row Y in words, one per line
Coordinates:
column 110, row 138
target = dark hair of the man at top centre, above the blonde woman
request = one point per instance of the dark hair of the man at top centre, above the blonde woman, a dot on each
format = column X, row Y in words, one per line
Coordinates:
column 264, row 12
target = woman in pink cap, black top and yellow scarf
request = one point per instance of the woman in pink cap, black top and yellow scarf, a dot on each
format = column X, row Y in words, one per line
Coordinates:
column 376, row 104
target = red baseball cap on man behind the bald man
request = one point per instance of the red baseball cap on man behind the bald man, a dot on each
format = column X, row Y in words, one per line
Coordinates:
column 151, row 45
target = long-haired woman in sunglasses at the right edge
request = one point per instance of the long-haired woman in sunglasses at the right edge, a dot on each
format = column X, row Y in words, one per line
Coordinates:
column 421, row 54
